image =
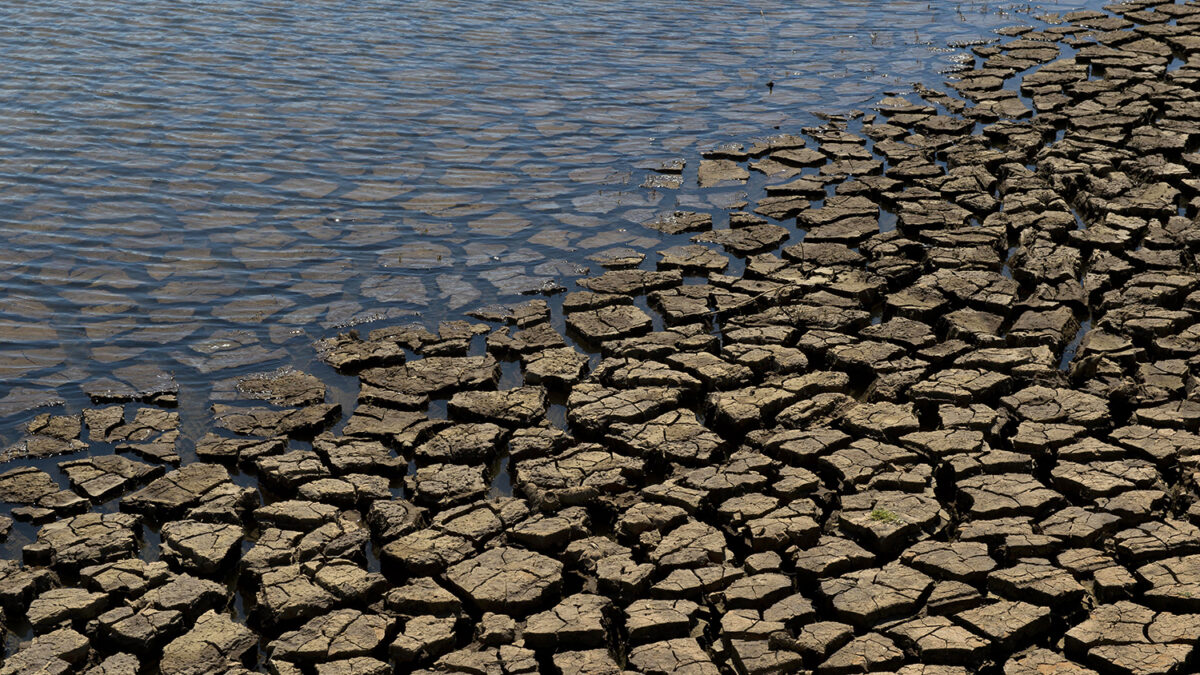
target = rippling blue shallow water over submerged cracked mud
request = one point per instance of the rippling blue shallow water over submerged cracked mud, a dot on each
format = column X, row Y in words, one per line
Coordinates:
column 233, row 180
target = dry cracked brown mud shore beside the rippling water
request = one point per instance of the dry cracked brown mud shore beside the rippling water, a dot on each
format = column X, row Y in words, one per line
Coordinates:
column 943, row 422
